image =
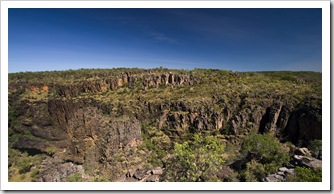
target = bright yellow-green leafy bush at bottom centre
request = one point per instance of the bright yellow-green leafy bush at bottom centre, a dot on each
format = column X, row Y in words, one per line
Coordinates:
column 199, row 160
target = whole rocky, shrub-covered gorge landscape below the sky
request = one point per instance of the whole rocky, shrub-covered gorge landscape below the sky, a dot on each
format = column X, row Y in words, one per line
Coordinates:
column 161, row 124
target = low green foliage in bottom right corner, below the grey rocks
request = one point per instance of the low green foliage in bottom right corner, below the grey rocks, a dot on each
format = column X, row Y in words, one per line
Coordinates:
column 303, row 174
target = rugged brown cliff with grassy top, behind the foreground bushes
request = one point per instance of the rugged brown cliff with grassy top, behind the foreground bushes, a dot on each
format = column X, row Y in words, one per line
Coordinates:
column 100, row 120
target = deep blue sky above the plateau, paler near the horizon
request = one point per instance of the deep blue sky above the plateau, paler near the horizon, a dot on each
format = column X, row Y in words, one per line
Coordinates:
column 231, row 39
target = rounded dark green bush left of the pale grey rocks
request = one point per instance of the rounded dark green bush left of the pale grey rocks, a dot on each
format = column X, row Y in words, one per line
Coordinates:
column 265, row 150
